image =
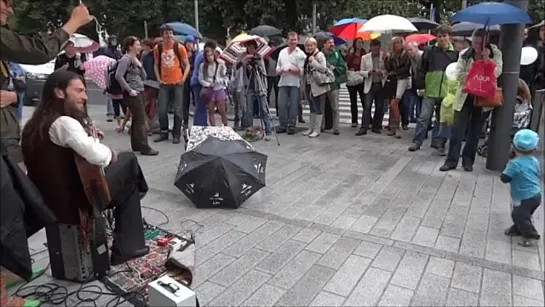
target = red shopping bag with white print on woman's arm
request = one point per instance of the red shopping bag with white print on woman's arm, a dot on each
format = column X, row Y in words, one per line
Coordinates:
column 481, row 81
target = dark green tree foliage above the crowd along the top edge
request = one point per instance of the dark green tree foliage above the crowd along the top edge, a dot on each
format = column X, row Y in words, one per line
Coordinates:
column 220, row 18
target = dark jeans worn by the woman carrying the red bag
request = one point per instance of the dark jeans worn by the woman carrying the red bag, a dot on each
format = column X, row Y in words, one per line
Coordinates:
column 469, row 118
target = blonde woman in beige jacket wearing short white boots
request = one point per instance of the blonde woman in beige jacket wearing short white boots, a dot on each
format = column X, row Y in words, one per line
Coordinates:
column 314, row 91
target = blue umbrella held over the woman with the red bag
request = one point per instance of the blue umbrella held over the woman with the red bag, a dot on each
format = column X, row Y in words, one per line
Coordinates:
column 492, row 13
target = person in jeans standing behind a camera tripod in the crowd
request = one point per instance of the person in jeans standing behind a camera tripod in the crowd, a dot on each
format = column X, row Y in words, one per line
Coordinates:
column 255, row 84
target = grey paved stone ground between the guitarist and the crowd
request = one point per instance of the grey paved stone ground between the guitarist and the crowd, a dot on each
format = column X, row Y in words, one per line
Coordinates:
column 350, row 221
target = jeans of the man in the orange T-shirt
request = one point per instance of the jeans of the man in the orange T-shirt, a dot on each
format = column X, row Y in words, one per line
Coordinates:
column 171, row 93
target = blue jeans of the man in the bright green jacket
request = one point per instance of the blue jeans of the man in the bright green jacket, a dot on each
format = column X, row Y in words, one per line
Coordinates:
column 430, row 105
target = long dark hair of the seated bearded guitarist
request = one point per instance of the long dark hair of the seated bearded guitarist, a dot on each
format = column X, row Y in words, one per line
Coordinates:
column 51, row 106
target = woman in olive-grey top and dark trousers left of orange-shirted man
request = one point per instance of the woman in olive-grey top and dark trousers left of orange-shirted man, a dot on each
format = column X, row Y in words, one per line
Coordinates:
column 131, row 75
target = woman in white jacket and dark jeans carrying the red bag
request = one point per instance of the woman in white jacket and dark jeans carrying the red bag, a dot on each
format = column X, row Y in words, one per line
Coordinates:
column 466, row 114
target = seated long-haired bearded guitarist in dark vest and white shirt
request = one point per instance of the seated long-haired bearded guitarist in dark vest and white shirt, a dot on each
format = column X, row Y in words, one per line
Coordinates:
column 59, row 129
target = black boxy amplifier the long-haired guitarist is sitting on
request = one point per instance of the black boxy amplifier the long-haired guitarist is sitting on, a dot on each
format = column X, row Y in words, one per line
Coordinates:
column 72, row 261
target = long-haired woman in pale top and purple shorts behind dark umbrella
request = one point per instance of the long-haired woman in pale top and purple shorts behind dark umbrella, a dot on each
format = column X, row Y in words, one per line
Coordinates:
column 213, row 79
